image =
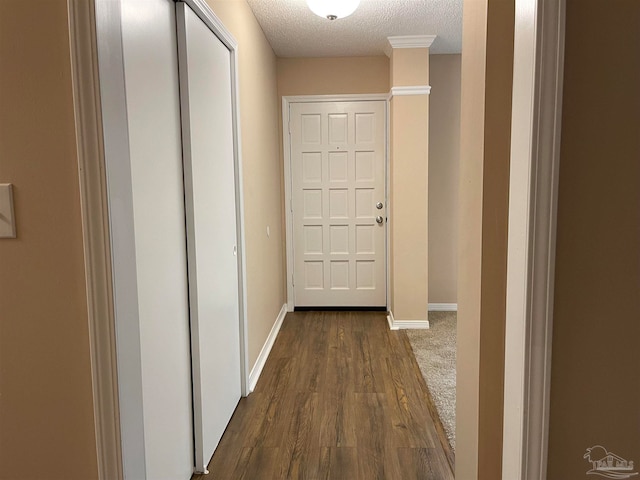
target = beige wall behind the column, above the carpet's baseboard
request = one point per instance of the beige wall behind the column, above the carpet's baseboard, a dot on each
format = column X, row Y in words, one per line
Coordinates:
column 444, row 165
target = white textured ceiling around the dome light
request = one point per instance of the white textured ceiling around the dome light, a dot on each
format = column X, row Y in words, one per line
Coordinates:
column 294, row 31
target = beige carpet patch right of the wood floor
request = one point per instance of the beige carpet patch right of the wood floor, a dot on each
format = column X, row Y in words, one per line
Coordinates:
column 435, row 352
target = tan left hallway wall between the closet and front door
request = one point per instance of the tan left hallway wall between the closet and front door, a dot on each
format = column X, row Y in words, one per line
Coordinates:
column 262, row 180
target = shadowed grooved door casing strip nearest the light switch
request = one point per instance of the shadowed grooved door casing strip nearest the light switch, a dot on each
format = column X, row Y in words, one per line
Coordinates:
column 96, row 242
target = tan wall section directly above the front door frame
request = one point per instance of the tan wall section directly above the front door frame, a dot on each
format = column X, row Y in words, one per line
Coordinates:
column 333, row 75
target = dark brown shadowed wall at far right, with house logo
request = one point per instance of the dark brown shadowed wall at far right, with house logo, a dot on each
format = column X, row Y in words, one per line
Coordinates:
column 595, row 377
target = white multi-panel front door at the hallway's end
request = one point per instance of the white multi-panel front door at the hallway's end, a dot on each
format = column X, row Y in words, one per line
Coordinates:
column 338, row 203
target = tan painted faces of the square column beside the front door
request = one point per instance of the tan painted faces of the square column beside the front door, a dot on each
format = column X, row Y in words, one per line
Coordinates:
column 409, row 161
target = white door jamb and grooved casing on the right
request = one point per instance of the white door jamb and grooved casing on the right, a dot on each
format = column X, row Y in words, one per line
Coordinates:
column 535, row 149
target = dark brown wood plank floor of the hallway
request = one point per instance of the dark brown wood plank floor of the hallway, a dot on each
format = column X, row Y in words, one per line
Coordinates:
column 340, row 397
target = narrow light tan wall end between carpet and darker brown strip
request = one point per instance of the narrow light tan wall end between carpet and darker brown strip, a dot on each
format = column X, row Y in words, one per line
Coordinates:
column 474, row 33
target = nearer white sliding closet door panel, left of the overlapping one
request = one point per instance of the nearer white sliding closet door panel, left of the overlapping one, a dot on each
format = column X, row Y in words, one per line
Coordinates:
column 153, row 115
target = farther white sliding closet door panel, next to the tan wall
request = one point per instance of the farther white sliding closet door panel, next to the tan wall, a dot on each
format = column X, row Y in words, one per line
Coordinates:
column 210, row 197
